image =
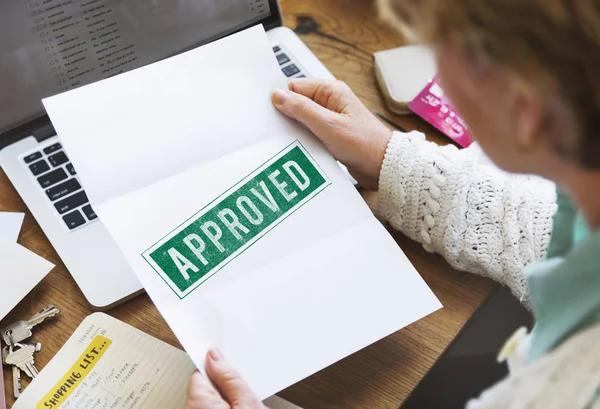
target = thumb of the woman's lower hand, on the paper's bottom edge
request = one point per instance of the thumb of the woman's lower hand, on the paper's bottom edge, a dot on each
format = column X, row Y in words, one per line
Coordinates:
column 229, row 382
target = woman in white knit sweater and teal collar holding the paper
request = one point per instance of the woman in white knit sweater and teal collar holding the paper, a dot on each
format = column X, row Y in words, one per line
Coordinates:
column 525, row 77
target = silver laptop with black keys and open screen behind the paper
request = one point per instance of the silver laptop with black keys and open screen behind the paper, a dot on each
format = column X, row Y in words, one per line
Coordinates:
column 51, row 46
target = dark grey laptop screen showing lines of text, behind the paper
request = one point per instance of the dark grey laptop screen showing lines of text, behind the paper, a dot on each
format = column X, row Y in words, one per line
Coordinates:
column 51, row 46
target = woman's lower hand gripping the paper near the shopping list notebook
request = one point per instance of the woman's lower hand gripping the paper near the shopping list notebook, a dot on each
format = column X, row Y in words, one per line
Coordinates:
column 230, row 390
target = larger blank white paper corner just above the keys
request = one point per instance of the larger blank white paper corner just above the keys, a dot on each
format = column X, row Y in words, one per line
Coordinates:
column 20, row 271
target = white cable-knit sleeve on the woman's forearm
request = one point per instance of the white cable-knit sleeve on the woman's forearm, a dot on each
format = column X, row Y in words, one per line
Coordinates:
column 456, row 203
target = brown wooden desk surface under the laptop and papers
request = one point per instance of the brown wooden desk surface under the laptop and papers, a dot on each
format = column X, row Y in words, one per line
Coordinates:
column 344, row 34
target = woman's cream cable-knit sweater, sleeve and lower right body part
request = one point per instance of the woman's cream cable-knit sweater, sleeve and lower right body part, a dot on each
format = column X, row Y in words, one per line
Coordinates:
column 487, row 222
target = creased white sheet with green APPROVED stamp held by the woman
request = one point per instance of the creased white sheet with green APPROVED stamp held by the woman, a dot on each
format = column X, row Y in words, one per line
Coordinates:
column 240, row 225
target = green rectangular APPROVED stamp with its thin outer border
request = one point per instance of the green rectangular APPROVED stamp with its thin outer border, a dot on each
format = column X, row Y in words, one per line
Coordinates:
column 230, row 224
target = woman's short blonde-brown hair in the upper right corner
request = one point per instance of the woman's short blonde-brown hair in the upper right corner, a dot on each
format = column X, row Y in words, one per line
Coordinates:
column 553, row 44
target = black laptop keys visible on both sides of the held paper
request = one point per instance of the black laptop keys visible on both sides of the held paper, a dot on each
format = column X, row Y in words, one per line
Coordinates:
column 57, row 176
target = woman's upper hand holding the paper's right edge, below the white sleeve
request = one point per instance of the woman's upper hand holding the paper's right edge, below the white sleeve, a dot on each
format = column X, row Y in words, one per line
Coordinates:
column 337, row 117
